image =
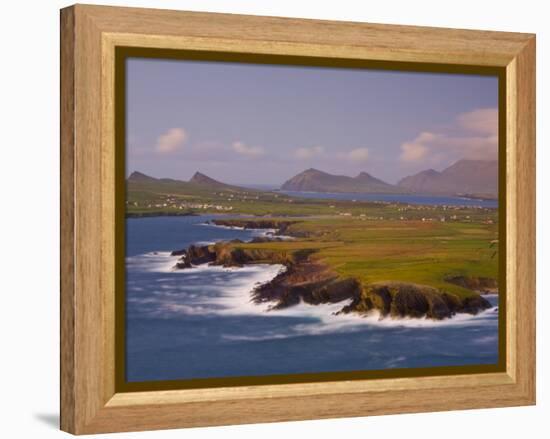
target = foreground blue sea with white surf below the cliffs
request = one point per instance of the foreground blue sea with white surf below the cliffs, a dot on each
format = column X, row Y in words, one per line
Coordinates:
column 200, row 323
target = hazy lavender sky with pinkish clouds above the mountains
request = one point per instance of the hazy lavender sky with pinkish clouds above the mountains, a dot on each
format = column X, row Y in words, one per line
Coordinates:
column 263, row 124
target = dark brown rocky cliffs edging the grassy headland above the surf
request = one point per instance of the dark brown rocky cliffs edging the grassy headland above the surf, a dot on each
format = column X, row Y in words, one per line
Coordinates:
column 311, row 281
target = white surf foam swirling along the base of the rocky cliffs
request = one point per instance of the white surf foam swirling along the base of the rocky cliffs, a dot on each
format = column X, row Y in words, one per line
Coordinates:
column 207, row 289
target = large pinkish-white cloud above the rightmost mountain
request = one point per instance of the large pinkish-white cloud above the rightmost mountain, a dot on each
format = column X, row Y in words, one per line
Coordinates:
column 472, row 135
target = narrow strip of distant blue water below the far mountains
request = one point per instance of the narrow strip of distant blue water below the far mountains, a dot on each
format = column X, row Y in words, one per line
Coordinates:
column 437, row 200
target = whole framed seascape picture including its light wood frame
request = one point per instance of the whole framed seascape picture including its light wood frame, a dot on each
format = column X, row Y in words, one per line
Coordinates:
column 268, row 219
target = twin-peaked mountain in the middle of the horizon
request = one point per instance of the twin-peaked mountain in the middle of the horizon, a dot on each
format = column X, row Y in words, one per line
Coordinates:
column 313, row 180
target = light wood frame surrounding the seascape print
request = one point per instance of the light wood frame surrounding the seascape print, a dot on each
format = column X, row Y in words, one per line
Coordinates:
column 89, row 35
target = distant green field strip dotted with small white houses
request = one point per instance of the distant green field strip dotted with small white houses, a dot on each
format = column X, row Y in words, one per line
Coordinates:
column 181, row 198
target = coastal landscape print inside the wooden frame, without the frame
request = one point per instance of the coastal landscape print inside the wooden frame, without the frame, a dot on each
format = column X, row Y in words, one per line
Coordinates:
column 294, row 220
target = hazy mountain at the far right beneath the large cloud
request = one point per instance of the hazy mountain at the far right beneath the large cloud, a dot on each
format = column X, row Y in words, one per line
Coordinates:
column 474, row 177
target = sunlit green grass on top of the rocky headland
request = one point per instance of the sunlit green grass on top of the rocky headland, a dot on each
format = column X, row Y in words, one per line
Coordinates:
column 418, row 252
